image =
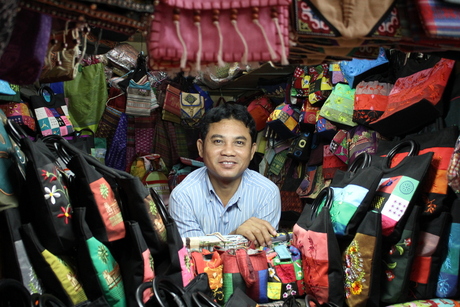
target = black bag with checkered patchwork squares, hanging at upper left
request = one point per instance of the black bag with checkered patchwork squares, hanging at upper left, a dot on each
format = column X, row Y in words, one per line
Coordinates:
column 51, row 112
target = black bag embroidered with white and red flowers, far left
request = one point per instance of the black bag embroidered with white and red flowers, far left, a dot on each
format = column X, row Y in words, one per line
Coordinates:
column 45, row 203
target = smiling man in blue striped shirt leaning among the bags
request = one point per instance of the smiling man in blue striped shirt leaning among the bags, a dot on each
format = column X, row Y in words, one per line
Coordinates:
column 225, row 196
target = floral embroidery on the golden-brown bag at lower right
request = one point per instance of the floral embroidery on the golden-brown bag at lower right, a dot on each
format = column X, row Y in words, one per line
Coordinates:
column 353, row 268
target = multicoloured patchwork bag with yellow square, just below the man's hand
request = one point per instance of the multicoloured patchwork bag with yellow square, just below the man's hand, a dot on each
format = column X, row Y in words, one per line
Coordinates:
column 285, row 275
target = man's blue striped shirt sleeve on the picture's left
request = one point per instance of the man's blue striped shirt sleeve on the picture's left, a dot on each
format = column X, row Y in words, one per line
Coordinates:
column 181, row 210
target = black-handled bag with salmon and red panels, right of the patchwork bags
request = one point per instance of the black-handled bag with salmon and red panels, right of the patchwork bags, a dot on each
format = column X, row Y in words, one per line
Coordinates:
column 313, row 235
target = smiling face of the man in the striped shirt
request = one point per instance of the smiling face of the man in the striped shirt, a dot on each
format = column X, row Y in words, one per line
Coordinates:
column 227, row 150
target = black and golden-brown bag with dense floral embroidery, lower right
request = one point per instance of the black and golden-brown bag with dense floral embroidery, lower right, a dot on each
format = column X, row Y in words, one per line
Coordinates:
column 362, row 263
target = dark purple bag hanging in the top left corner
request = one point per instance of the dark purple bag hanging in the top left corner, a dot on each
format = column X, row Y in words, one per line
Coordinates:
column 22, row 60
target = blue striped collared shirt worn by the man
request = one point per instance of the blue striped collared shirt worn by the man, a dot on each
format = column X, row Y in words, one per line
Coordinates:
column 198, row 211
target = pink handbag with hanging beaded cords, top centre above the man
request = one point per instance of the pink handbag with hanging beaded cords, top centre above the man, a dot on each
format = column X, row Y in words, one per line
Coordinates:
column 203, row 31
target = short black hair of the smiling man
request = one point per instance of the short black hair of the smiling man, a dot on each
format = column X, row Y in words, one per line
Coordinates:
column 228, row 110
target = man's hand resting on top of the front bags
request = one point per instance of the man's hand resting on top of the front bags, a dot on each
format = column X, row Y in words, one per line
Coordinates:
column 257, row 230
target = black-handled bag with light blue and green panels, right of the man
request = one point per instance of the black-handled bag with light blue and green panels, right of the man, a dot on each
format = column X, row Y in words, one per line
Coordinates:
column 354, row 191
